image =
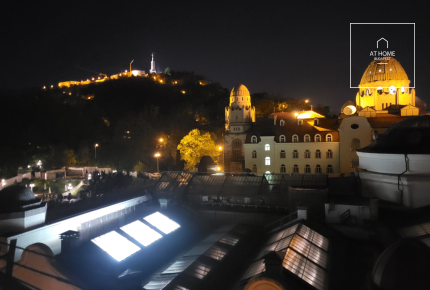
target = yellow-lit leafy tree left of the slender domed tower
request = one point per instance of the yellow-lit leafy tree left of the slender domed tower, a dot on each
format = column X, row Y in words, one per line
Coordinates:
column 196, row 145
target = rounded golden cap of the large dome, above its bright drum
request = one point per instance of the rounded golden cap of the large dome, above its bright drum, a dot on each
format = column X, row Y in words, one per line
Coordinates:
column 376, row 72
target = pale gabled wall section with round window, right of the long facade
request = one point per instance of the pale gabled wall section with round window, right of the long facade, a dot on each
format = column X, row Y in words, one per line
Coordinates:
column 346, row 136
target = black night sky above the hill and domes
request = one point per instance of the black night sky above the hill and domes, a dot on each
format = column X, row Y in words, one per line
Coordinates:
column 298, row 49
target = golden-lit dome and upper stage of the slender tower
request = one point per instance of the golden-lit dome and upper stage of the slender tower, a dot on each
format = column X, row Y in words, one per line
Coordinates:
column 239, row 114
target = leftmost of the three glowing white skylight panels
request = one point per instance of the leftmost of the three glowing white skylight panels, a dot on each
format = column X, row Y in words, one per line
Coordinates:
column 116, row 245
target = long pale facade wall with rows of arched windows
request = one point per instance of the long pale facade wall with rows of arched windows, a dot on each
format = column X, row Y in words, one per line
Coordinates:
column 276, row 161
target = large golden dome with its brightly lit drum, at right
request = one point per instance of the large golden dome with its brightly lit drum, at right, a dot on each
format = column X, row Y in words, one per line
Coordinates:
column 384, row 86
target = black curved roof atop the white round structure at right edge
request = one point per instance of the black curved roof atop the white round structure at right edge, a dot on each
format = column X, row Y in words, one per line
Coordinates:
column 411, row 136
